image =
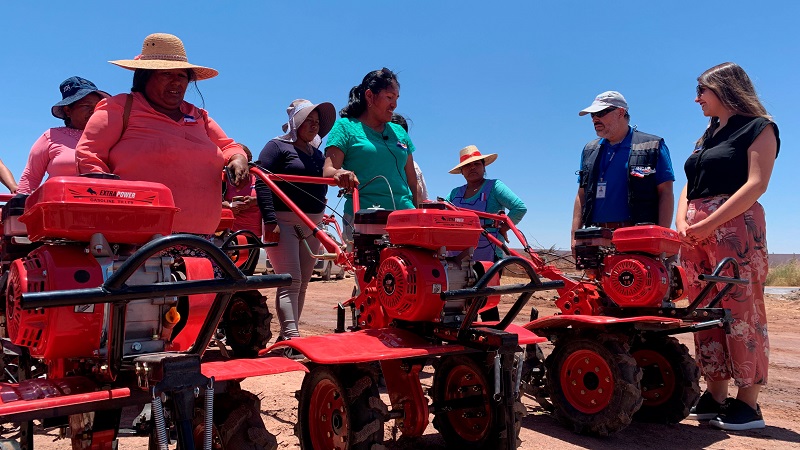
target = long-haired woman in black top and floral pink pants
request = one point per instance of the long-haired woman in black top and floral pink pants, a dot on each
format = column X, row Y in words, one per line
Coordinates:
column 719, row 216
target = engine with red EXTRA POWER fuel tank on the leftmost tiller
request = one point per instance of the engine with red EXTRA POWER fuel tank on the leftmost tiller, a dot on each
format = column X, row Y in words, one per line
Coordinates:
column 86, row 229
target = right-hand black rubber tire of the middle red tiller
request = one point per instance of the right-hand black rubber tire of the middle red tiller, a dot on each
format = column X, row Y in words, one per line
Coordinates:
column 444, row 388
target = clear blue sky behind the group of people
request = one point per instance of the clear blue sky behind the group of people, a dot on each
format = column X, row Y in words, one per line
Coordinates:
column 509, row 77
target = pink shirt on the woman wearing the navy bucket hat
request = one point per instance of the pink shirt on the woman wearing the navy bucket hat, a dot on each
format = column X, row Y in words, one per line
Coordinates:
column 53, row 154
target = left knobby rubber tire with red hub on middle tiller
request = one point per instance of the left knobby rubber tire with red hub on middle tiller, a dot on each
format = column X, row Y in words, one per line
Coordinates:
column 351, row 391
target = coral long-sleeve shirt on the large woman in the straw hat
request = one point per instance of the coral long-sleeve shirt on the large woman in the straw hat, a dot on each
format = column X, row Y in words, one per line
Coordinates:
column 187, row 156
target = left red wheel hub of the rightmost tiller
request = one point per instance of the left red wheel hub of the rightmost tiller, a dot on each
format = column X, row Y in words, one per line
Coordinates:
column 587, row 381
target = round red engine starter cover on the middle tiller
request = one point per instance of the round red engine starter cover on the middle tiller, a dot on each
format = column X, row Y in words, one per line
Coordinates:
column 409, row 283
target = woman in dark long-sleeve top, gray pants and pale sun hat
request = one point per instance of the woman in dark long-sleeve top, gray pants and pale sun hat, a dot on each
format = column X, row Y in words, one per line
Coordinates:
column 294, row 153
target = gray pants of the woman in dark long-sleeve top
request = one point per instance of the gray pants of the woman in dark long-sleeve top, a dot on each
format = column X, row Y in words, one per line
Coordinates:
column 291, row 256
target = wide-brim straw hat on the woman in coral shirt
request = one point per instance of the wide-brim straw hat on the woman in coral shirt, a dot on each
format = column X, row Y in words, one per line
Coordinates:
column 162, row 51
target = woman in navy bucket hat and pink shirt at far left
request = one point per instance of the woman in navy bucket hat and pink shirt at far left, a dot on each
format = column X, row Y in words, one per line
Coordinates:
column 53, row 154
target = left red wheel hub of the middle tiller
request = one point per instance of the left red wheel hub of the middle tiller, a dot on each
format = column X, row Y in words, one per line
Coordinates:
column 328, row 422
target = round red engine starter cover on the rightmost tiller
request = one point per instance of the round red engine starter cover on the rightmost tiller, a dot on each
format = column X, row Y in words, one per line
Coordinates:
column 635, row 280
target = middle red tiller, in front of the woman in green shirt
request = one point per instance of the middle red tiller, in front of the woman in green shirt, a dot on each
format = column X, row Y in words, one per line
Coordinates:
column 417, row 298
